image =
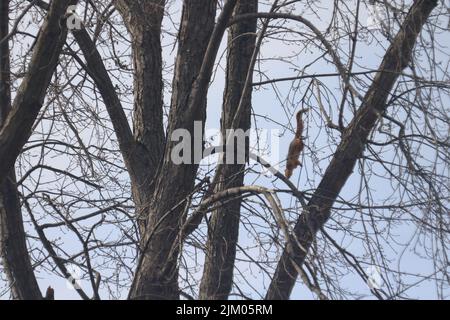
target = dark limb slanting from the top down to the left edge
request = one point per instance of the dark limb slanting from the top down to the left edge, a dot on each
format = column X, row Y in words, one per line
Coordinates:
column 30, row 96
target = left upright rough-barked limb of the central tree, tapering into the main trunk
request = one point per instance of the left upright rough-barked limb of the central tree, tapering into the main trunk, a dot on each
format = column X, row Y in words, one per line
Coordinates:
column 143, row 20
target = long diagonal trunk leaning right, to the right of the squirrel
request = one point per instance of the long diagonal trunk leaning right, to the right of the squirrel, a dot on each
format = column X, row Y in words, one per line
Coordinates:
column 349, row 150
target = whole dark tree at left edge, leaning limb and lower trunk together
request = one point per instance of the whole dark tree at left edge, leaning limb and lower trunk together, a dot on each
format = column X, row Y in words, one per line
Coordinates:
column 15, row 125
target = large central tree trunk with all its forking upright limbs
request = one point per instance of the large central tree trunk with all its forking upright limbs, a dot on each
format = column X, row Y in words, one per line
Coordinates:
column 157, row 273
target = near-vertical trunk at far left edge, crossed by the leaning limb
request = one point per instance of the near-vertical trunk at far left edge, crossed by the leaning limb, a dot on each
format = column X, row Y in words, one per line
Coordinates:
column 13, row 248
